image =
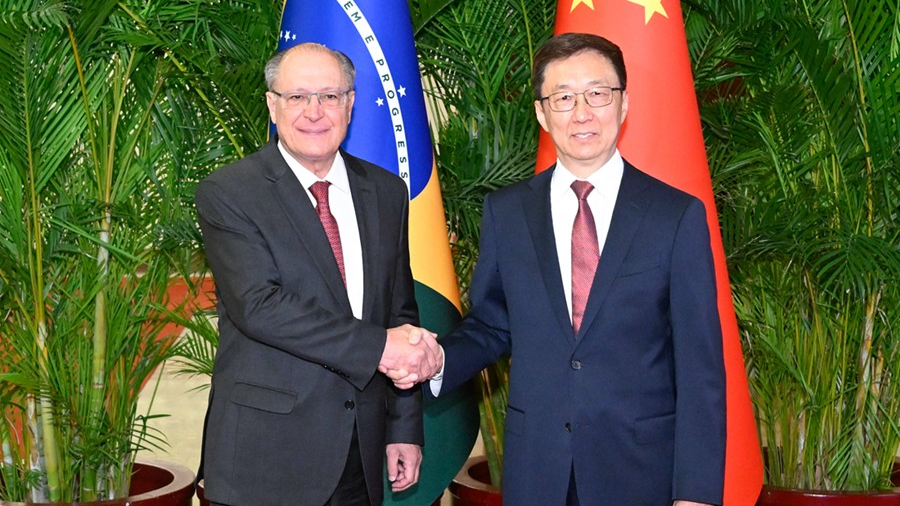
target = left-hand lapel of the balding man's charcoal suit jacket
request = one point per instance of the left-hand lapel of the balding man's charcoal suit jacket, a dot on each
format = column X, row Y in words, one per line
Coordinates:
column 302, row 215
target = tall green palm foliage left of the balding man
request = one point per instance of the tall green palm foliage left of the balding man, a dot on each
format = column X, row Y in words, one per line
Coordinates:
column 106, row 121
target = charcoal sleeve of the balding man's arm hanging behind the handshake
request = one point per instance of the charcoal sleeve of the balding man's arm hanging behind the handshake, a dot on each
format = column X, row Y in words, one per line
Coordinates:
column 405, row 416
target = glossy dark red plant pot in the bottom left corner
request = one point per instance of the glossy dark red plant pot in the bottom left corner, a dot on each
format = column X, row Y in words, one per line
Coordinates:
column 153, row 483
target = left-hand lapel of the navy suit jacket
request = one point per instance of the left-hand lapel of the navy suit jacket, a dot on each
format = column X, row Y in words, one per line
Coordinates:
column 540, row 223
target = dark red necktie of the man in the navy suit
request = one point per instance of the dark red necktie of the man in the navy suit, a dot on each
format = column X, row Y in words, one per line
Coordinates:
column 585, row 252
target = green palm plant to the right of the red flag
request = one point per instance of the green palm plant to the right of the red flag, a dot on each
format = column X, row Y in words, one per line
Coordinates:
column 804, row 140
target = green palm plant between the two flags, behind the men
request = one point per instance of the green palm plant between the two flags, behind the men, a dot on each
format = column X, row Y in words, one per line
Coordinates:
column 476, row 62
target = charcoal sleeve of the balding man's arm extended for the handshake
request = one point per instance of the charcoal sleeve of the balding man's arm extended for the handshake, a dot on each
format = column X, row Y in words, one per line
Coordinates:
column 249, row 286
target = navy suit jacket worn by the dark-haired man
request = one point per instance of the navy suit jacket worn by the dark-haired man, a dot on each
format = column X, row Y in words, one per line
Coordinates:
column 635, row 401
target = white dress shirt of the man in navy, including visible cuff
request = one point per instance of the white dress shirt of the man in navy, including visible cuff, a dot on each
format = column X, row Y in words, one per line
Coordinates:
column 563, row 208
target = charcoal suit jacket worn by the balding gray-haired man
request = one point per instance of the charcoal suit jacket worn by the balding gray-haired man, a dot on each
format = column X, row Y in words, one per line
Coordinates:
column 295, row 371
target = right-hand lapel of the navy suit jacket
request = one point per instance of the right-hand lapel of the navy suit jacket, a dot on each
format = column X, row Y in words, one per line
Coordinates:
column 627, row 216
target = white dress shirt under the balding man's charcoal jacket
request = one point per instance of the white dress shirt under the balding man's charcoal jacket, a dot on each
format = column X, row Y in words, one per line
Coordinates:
column 341, row 203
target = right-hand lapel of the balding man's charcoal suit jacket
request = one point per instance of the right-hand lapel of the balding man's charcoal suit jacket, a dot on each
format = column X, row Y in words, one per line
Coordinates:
column 365, row 204
